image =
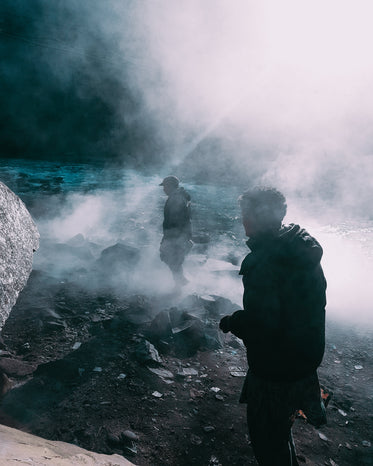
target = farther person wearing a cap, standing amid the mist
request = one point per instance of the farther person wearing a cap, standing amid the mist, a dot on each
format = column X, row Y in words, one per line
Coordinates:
column 177, row 230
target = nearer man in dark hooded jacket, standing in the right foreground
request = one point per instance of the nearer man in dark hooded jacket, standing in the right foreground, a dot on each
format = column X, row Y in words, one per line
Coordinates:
column 282, row 325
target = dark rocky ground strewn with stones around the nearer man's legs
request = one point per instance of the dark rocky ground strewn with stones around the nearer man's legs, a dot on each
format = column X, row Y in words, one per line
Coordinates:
column 152, row 379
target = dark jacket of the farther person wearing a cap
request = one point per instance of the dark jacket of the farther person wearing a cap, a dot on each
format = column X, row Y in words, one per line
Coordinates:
column 177, row 215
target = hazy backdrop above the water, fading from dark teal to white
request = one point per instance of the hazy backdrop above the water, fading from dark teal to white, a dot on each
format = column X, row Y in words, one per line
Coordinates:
column 279, row 89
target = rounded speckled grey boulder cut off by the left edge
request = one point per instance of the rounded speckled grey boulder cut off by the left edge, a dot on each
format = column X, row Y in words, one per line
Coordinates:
column 19, row 238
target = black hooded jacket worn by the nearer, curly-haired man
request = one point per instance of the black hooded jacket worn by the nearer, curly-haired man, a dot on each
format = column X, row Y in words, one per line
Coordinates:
column 283, row 320
